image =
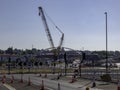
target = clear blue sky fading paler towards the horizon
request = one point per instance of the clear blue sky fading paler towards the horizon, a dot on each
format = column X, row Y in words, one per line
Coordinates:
column 81, row 21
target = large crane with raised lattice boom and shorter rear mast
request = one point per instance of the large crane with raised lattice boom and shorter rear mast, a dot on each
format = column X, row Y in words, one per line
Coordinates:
column 56, row 50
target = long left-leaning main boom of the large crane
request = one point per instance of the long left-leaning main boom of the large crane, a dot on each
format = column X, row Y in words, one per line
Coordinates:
column 46, row 27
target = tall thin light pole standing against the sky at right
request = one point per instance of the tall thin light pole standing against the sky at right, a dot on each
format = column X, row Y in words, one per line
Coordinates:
column 106, row 43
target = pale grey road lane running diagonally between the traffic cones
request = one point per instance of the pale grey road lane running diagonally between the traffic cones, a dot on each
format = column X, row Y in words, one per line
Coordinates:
column 51, row 84
